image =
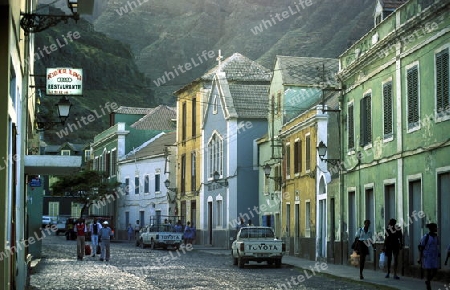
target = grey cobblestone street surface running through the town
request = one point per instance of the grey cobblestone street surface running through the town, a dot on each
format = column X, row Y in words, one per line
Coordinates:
column 131, row 267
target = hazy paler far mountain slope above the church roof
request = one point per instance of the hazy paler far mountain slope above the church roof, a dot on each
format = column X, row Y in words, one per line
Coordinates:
column 164, row 35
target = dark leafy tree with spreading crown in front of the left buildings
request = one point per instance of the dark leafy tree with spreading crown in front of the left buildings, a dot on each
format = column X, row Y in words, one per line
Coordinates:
column 85, row 187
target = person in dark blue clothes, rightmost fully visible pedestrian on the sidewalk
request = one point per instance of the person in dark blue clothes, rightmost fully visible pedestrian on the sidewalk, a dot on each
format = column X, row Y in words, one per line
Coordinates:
column 429, row 253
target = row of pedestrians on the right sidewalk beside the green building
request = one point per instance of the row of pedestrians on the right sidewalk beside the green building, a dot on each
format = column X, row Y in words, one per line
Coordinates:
column 393, row 243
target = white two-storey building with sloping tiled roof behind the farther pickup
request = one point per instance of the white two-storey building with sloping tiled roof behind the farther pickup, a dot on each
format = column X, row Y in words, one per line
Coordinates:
column 142, row 173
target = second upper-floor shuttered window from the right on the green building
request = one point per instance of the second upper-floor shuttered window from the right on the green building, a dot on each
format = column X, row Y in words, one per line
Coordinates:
column 412, row 88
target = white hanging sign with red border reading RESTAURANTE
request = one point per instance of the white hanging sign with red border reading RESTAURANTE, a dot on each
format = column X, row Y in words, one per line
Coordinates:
column 64, row 81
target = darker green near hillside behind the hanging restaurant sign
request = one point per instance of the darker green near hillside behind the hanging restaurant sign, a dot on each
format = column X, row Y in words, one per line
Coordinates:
column 109, row 75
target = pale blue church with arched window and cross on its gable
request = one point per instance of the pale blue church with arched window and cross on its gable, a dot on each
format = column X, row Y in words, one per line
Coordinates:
column 234, row 118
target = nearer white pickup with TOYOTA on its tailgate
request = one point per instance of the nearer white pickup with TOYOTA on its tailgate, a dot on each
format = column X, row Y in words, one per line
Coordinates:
column 257, row 244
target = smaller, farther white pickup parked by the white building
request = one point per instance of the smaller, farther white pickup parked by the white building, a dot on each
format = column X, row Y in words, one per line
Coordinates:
column 159, row 236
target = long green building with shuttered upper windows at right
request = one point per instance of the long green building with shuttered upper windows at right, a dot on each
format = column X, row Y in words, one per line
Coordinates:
column 396, row 127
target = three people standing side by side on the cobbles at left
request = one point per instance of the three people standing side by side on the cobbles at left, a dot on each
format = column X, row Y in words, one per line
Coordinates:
column 100, row 235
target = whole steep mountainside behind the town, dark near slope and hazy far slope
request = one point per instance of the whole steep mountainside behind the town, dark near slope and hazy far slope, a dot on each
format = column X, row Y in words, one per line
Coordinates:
column 138, row 52
